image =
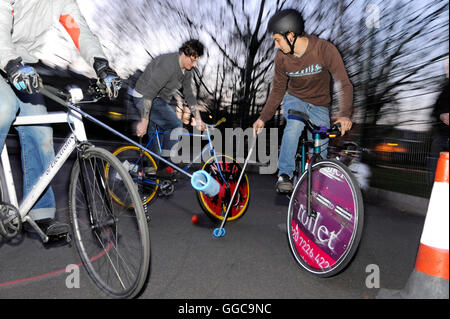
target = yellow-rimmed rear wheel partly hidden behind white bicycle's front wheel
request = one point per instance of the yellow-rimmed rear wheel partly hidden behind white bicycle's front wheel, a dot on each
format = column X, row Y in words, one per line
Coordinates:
column 140, row 165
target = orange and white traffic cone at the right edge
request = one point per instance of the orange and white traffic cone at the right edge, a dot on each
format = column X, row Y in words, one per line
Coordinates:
column 429, row 279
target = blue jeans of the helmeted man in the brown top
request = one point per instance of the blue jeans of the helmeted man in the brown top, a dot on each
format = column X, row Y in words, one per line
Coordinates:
column 319, row 115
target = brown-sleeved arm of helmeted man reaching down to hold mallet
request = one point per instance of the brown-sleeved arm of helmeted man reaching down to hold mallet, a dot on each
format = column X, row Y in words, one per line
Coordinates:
column 279, row 87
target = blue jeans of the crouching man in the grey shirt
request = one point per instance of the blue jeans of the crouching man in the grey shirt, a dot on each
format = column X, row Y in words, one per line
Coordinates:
column 165, row 117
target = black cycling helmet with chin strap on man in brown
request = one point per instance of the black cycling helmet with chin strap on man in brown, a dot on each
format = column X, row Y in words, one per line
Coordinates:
column 286, row 21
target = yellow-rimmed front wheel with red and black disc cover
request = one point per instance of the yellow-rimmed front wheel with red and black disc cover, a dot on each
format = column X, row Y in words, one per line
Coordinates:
column 215, row 207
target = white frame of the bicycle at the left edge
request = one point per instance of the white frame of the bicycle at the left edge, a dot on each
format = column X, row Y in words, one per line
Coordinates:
column 74, row 119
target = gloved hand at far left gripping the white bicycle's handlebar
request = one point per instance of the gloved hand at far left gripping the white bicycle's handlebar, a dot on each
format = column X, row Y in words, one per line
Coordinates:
column 22, row 76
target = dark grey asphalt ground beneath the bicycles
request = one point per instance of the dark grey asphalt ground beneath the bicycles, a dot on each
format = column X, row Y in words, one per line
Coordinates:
column 252, row 261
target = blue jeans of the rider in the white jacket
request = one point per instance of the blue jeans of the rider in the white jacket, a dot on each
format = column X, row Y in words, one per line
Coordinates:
column 36, row 141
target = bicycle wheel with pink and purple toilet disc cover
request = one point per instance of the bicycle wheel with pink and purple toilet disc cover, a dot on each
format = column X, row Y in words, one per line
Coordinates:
column 323, row 245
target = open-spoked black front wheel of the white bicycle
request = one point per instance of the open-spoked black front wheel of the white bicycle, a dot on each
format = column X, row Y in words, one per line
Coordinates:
column 112, row 239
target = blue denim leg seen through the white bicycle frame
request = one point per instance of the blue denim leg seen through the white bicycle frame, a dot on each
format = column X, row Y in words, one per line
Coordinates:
column 37, row 154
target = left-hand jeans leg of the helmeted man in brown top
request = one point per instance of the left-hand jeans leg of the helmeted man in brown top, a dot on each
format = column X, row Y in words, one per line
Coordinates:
column 291, row 135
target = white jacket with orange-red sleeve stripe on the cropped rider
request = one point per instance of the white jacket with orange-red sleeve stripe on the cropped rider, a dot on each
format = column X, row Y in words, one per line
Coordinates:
column 24, row 23
